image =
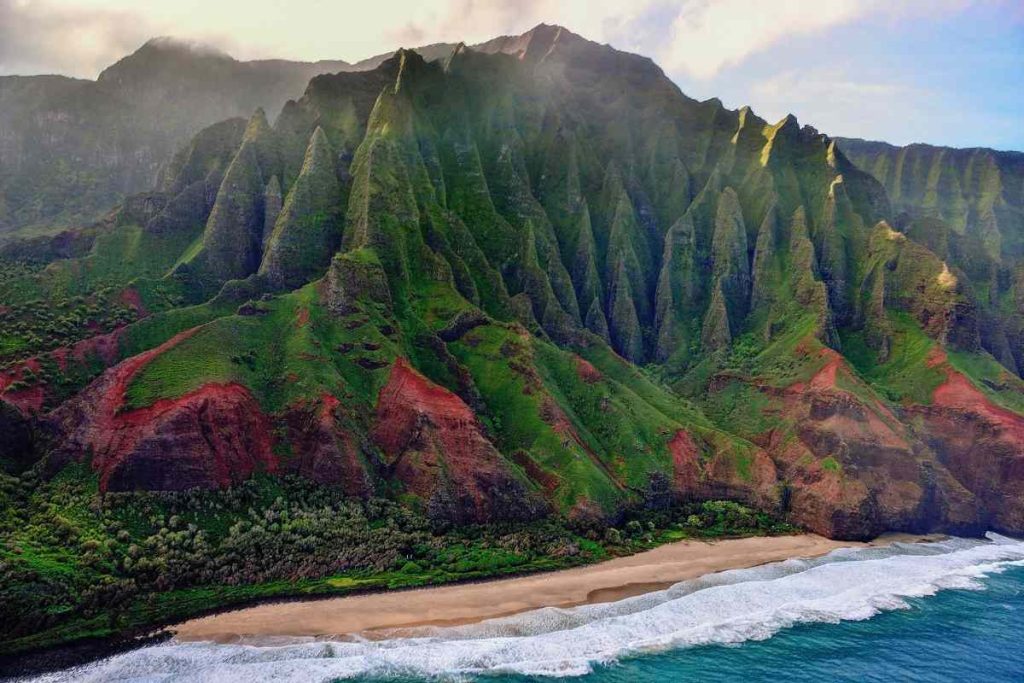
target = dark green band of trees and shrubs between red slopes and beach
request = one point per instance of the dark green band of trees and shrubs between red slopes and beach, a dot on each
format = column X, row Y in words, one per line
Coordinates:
column 74, row 565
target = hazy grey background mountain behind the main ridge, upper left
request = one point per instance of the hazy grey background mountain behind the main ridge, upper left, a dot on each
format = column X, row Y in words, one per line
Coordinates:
column 72, row 149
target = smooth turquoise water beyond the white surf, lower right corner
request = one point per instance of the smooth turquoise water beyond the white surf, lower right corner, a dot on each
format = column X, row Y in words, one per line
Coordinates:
column 954, row 636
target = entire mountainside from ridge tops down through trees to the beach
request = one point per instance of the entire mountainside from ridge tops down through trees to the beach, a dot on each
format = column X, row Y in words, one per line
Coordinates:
column 517, row 309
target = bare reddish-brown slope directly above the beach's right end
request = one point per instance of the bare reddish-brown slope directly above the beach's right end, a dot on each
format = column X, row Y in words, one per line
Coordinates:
column 854, row 468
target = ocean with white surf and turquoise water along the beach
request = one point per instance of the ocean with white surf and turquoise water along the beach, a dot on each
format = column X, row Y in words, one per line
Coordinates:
column 952, row 611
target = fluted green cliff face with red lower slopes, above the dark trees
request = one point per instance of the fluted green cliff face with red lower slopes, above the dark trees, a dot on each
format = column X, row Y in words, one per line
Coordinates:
column 535, row 278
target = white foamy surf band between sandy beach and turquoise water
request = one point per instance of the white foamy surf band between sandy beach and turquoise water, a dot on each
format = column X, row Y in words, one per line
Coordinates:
column 724, row 609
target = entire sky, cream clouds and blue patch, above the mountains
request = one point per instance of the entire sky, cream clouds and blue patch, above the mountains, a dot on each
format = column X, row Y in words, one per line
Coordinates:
column 945, row 72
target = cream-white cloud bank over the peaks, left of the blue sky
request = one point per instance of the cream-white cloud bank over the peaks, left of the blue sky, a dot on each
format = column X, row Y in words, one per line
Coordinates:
column 694, row 38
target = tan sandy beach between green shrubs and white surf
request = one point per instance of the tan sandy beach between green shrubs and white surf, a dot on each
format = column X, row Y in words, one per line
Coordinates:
column 377, row 615
